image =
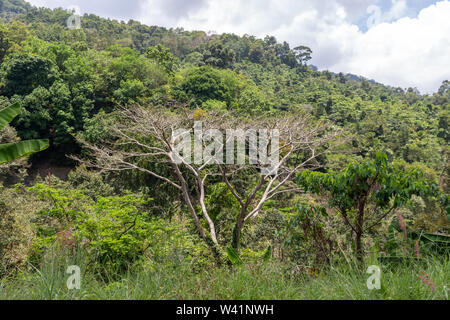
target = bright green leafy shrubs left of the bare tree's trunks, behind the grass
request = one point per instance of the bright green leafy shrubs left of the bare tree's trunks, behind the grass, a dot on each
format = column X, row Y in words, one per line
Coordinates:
column 114, row 231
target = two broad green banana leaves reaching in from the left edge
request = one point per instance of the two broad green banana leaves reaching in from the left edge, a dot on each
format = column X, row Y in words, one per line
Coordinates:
column 16, row 150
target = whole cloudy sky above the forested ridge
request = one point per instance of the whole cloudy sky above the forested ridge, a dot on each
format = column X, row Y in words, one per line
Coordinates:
column 402, row 43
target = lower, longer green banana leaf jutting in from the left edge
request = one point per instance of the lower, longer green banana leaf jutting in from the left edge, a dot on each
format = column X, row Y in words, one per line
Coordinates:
column 17, row 150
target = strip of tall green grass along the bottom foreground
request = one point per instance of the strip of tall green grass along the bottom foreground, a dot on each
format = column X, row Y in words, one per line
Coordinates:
column 428, row 280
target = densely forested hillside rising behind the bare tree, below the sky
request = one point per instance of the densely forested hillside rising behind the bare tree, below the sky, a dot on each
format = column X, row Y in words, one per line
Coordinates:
column 84, row 71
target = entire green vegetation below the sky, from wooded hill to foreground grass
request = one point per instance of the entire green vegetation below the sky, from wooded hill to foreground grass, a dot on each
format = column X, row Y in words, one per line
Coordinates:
column 365, row 174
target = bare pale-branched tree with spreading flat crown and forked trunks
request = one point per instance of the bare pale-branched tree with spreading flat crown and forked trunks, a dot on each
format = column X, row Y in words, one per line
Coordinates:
column 139, row 135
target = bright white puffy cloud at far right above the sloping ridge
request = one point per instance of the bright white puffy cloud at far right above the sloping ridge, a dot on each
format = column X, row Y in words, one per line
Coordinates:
column 406, row 52
